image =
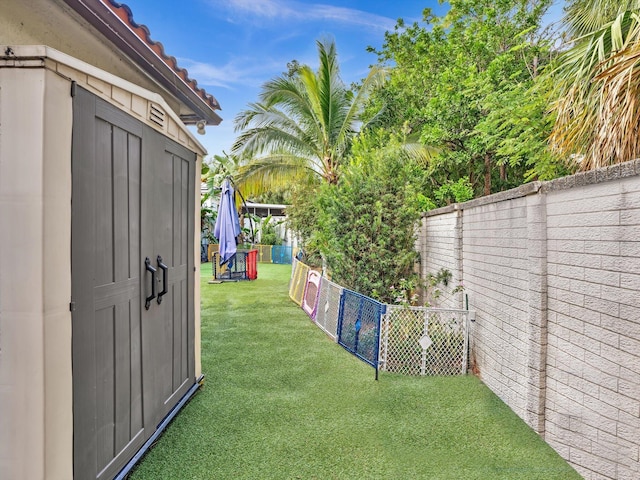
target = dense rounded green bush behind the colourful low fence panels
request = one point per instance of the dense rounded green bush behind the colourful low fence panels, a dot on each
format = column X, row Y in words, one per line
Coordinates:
column 366, row 223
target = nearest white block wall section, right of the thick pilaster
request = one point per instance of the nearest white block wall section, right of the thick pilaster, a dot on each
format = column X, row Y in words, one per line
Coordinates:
column 593, row 356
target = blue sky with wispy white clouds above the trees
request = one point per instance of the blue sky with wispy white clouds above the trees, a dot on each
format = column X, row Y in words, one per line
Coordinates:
column 231, row 47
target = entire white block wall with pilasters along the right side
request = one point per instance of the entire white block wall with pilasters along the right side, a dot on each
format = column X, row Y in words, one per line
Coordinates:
column 553, row 272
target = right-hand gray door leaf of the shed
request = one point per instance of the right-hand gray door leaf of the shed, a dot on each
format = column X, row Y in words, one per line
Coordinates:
column 168, row 233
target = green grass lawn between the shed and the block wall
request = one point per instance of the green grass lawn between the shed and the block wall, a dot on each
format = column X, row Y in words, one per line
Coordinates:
column 282, row 401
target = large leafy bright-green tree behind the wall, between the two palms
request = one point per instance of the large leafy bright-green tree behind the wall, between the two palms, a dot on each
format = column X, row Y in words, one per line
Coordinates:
column 457, row 79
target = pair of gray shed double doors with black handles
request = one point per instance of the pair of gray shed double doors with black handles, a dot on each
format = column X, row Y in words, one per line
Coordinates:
column 133, row 198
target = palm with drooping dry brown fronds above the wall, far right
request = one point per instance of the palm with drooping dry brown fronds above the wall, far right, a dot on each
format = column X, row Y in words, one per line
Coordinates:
column 598, row 80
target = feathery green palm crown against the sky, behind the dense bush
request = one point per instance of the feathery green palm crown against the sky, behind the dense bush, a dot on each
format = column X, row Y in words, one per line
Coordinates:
column 303, row 124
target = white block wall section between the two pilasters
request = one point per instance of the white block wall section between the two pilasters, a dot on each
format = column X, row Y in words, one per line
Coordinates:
column 495, row 278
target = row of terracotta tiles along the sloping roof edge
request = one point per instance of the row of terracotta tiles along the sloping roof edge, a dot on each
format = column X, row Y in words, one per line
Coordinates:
column 124, row 13
